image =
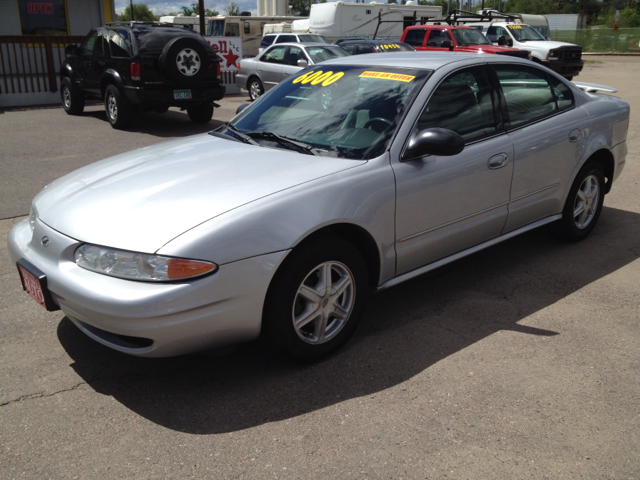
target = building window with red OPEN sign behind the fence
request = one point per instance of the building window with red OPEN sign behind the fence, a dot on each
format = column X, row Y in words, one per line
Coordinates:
column 47, row 17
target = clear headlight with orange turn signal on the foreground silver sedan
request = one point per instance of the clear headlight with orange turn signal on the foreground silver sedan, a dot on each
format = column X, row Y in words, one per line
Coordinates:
column 139, row 266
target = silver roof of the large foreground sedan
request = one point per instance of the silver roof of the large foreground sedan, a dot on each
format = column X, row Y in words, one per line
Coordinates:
column 428, row 60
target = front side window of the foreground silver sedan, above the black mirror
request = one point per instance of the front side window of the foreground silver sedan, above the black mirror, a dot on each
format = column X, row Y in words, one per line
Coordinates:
column 462, row 103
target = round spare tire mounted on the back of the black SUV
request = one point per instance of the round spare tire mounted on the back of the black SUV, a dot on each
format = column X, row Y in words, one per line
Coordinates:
column 185, row 60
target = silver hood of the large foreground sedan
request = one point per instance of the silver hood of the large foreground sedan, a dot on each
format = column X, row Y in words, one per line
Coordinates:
column 143, row 199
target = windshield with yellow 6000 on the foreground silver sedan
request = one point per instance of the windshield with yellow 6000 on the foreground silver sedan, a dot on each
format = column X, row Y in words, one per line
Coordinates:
column 339, row 111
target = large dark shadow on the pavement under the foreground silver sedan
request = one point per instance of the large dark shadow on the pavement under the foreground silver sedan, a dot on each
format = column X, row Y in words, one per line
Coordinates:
column 406, row 330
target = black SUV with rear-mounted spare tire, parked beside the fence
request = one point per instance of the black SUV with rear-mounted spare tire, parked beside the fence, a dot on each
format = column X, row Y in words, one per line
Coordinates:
column 142, row 66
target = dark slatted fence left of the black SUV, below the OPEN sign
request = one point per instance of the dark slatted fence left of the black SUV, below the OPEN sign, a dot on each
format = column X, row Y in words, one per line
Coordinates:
column 30, row 63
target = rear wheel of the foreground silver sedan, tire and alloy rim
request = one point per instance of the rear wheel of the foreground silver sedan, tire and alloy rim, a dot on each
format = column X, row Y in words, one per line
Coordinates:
column 584, row 204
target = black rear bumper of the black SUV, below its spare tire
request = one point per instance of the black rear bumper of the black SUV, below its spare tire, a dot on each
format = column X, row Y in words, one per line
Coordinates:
column 149, row 96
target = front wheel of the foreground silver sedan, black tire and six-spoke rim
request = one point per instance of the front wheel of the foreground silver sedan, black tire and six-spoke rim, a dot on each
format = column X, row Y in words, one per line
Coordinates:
column 302, row 270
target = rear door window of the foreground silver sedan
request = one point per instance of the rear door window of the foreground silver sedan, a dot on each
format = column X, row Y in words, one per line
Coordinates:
column 527, row 93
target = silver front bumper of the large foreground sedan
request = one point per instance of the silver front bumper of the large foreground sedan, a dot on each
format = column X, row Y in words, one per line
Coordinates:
column 148, row 319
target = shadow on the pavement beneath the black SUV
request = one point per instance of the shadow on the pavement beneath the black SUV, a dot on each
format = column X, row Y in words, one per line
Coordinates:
column 173, row 123
